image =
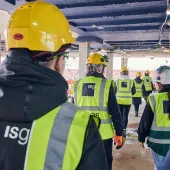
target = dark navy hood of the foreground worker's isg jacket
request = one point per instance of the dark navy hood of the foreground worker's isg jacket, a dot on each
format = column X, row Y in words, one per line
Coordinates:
column 29, row 90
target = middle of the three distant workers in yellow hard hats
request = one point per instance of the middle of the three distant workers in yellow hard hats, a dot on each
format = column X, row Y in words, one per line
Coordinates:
column 137, row 97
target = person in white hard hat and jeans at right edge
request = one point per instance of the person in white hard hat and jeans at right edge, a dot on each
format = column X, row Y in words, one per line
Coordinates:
column 155, row 121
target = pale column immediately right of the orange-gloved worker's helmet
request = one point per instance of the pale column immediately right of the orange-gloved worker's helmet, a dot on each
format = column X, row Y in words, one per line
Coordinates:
column 109, row 69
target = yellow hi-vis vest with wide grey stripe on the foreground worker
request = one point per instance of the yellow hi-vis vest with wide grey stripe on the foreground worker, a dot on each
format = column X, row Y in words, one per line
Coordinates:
column 54, row 137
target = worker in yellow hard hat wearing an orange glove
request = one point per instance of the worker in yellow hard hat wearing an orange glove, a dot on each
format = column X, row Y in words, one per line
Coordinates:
column 95, row 94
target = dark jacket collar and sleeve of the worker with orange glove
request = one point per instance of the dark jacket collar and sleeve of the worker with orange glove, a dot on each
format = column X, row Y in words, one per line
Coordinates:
column 113, row 109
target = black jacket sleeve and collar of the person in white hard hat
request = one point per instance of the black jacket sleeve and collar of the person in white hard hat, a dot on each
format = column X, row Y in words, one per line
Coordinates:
column 146, row 121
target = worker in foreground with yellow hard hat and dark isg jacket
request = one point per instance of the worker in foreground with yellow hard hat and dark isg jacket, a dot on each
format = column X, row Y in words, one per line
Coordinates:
column 39, row 128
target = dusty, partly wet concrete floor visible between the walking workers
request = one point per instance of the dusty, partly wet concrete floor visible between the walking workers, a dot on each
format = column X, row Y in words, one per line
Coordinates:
column 131, row 156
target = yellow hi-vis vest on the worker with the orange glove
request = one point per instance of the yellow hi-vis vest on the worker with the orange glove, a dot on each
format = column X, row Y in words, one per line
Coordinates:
column 92, row 94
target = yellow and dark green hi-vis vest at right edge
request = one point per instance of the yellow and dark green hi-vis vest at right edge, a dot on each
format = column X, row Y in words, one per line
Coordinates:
column 159, row 137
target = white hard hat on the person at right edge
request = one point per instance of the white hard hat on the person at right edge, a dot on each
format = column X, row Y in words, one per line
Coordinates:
column 163, row 75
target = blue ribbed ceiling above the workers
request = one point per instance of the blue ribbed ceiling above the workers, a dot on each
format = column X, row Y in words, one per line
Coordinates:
column 113, row 24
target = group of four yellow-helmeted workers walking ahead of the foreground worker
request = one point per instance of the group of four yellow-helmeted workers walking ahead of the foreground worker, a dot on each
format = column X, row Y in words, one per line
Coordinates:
column 109, row 100
